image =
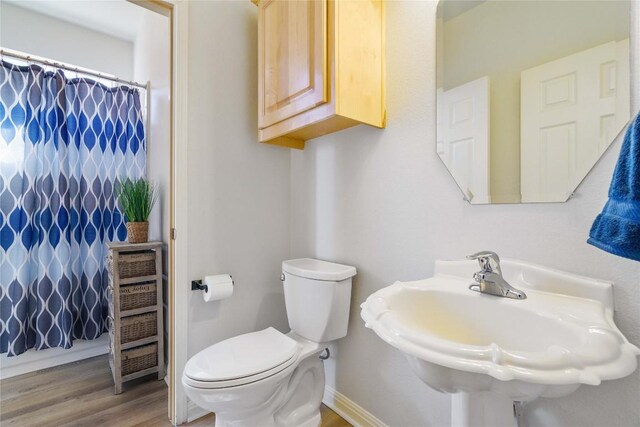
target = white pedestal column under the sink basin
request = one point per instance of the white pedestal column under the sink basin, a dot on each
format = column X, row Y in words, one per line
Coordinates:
column 482, row 409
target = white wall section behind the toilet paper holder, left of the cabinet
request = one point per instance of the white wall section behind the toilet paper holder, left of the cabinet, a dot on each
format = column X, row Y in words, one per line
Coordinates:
column 238, row 189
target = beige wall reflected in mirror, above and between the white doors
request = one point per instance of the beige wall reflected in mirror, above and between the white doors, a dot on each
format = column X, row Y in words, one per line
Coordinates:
column 474, row 45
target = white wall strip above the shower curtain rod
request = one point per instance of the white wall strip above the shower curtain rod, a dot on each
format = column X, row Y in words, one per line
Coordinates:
column 31, row 32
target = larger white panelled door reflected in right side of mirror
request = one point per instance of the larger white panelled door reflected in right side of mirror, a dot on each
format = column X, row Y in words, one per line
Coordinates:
column 571, row 110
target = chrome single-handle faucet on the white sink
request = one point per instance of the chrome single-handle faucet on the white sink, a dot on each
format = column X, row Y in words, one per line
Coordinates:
column 489, row 279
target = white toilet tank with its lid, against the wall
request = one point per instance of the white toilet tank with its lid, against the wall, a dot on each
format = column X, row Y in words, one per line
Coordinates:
column 318, row 297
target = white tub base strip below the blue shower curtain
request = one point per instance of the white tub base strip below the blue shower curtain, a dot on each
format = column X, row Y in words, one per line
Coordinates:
column 33, row 360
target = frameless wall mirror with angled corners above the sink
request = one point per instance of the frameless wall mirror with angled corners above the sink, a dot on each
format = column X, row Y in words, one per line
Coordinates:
column 529, row 94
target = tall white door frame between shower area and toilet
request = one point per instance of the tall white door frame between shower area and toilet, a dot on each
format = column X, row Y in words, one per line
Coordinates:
column 178, row 13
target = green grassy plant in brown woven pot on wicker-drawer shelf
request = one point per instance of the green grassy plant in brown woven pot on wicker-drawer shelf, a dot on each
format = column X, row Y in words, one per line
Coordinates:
column 136, row 199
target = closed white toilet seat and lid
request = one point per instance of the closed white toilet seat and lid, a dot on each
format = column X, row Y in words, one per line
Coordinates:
column 242, row 360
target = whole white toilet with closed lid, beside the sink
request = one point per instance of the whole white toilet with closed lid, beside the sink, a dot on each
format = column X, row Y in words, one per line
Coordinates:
column 267, row 378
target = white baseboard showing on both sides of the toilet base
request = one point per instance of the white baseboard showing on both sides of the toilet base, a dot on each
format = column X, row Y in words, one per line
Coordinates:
column 353, row 413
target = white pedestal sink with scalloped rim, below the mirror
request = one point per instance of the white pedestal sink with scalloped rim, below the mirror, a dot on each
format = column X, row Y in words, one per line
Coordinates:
column 493, row 351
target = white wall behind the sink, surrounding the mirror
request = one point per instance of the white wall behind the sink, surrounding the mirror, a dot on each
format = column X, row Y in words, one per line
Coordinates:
column 382, row 200
